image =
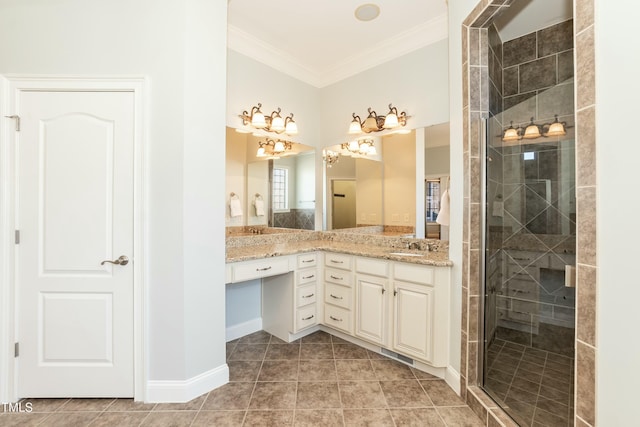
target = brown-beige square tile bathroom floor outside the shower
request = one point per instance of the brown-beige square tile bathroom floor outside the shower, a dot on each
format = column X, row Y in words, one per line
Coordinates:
column 319, row 380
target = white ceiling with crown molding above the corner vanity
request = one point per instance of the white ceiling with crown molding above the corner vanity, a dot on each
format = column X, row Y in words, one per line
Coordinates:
column 322, row 42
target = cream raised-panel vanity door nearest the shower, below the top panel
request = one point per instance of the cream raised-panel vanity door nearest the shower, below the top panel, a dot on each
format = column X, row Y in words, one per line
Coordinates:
column 413, row 320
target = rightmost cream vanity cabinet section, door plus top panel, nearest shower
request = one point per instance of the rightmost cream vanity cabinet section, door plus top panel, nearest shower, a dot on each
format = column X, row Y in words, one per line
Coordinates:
column 421, row 312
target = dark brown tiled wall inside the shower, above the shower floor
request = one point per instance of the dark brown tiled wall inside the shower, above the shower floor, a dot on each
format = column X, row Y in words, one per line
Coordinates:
column 533, row 237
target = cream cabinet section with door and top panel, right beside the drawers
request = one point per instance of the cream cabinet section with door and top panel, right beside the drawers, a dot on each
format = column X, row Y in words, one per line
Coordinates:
column 371, row 308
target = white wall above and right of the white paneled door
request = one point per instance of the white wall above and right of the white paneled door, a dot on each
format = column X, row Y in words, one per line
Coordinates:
column 180, row 48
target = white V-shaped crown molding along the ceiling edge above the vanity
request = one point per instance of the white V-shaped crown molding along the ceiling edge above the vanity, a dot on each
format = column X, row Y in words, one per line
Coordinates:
column 414, row 38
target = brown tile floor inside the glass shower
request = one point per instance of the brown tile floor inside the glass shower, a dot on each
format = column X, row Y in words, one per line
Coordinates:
column 535, row 386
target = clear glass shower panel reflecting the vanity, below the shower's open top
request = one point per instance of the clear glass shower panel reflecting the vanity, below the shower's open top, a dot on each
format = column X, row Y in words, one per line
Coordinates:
column 529, row 309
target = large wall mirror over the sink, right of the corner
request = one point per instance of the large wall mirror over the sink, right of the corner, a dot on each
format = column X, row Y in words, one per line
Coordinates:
column 394, row 191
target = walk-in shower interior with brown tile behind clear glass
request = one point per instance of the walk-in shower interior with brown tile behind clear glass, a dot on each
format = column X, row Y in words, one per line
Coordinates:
column 529, row 226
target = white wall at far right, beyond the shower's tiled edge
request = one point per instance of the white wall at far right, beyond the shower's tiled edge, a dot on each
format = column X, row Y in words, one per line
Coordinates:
column 618, row 201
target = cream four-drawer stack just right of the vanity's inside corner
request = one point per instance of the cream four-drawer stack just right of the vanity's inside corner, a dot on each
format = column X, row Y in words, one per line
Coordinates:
column 338, row 291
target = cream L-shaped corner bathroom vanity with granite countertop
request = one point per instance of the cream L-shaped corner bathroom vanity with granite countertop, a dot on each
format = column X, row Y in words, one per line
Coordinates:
column 390, row 300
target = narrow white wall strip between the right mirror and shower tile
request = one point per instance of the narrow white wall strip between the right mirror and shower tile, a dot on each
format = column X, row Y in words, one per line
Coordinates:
column 458, row 11
